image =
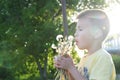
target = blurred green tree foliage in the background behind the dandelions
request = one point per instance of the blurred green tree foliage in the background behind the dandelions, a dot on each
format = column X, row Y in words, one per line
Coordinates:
column 27, row 30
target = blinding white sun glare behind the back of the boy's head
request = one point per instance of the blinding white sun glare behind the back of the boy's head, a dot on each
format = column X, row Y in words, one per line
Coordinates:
column 114, row 16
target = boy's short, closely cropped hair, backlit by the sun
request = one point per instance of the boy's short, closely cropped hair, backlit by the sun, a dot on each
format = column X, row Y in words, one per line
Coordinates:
column 98, row 18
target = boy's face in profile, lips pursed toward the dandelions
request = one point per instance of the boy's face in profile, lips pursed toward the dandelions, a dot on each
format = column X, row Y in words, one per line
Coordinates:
column 83, row 36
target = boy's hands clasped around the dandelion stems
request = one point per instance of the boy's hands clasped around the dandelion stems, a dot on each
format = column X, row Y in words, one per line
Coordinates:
column 64, row 62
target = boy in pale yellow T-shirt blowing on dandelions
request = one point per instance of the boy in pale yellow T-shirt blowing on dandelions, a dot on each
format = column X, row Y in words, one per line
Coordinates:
column 91, row 30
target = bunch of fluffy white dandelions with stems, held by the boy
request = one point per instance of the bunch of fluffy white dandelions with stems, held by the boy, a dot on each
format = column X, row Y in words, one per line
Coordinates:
column 63, row 47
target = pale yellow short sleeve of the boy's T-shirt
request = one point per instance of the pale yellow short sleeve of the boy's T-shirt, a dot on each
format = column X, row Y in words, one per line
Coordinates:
column 102, row 70
